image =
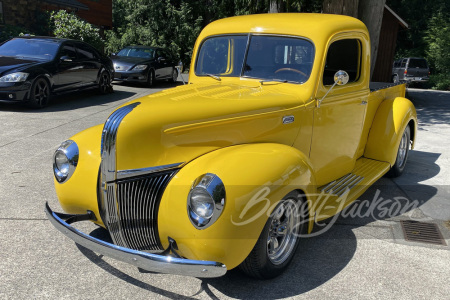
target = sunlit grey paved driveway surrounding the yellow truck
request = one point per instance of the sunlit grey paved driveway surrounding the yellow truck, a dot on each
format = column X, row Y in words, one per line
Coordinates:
column 363, row 256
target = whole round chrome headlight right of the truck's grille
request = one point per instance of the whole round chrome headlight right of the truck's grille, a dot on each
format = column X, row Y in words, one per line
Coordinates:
column 206, row 200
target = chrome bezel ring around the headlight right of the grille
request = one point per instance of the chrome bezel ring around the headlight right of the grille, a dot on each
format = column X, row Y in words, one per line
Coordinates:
column 215, row 189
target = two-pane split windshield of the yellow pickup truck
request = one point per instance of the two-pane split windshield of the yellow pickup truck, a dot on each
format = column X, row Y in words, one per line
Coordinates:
column 271, row 58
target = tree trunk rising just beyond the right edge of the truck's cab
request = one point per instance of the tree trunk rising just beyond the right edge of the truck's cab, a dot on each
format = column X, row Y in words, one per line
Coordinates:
column 371, row 13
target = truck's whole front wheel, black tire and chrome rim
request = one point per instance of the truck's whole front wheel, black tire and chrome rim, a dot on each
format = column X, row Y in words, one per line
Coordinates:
column 278, row 241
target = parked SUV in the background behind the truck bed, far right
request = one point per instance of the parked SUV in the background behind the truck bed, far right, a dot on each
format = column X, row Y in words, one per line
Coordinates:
column 410, row 69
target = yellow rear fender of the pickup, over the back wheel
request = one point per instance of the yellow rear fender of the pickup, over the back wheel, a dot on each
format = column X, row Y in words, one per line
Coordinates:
column 390, row 121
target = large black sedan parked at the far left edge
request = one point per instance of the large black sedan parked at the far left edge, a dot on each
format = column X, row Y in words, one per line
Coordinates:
column 33, row 68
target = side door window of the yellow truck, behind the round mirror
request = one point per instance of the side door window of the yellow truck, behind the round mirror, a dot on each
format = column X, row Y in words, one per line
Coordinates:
column 343, row 55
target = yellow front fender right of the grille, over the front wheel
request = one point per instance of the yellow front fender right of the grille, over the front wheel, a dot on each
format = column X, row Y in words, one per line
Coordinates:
column 256, row 177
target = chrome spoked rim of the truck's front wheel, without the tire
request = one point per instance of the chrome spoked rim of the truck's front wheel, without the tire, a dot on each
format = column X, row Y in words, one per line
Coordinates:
column 283, row 232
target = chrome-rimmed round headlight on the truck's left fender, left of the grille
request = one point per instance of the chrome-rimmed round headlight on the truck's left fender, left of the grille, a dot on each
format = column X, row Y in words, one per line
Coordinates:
column 65, row 161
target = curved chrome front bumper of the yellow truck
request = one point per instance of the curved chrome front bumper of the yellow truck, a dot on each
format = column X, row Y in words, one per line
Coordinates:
column 147, row 261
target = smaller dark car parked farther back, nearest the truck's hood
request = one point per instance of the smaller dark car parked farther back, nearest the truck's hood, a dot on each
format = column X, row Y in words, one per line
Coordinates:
column 144, row 64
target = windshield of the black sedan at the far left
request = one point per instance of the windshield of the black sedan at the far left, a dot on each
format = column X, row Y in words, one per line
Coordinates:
column 30, row 48
